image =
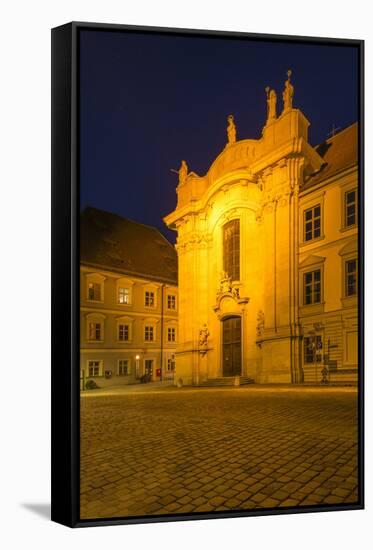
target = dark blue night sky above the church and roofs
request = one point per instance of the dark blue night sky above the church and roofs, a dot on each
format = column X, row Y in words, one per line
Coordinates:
column 148, row 101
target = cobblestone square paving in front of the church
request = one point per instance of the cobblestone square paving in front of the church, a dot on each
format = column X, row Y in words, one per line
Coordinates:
column 173, row 451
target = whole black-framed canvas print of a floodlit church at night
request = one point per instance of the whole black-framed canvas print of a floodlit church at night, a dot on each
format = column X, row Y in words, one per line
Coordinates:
column 207, row 274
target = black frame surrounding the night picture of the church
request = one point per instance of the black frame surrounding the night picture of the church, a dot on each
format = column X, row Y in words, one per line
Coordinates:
column 65, row 275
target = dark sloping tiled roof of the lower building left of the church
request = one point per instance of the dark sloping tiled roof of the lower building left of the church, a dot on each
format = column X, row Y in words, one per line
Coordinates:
column 108, row 241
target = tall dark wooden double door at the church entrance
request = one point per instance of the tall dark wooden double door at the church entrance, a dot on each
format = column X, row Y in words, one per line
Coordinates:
column 232, row 346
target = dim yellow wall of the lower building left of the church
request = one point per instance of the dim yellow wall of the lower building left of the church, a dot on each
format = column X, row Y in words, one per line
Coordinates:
column 110, row 312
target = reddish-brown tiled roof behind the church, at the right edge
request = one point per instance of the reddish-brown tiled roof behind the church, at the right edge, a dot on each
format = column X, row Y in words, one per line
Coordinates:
column 339, row 152
